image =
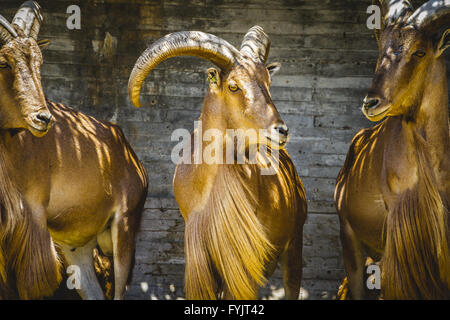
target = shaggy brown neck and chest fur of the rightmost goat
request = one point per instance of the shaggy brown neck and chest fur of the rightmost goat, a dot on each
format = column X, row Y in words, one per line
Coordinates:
column 416, row 261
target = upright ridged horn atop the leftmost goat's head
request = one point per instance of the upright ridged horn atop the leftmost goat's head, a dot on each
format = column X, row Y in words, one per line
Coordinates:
column 29, row 18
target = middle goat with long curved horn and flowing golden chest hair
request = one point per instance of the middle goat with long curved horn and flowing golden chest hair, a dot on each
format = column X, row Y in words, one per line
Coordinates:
column 239, row 222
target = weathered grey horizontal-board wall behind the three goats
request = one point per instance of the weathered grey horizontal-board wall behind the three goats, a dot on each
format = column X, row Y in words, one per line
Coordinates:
column 328, row 57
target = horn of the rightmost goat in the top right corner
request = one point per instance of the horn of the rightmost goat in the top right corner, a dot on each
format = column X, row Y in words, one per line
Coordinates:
column 430, row 13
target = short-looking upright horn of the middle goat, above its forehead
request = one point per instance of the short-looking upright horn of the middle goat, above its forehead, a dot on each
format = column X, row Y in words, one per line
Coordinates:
column 256, row 44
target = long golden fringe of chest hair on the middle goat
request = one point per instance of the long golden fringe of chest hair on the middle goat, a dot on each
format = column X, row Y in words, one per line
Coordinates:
column 218, row 238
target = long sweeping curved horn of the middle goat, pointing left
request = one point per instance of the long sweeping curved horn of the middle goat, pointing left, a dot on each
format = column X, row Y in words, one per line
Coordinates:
column 184, row 43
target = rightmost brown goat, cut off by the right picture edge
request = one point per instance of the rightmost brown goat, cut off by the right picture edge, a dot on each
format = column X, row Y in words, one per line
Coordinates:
column 393, row 192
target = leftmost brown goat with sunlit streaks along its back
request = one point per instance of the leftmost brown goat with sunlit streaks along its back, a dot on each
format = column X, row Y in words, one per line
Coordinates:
column 76, row 184
